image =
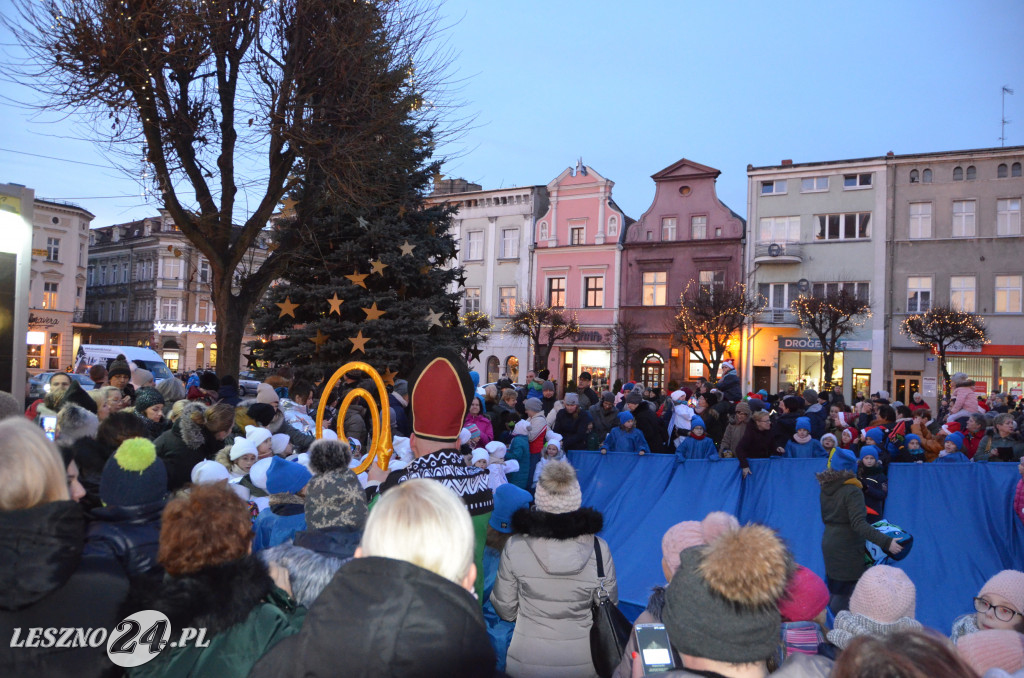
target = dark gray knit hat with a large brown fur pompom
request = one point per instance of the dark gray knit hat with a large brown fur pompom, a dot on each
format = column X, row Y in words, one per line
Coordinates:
column 722, row 604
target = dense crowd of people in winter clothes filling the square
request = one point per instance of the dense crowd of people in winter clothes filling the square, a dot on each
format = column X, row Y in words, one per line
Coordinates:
column 471, row 553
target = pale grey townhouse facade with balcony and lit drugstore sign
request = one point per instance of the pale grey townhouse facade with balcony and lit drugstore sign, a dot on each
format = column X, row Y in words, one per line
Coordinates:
column 816, row 228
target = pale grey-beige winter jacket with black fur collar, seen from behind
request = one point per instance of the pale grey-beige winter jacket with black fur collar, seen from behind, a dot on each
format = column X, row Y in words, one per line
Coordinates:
column 546, row 582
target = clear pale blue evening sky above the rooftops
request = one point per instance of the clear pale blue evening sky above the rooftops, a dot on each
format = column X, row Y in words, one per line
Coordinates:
column 633, row 88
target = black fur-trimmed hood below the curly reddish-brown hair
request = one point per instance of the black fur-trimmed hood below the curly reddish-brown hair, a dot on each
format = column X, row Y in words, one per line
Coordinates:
column 216, row 599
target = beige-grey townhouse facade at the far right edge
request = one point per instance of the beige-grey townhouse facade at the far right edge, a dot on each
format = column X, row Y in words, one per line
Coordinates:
column 957, row 239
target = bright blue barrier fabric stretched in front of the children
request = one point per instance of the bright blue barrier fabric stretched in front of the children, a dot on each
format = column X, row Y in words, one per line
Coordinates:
column 961, row 517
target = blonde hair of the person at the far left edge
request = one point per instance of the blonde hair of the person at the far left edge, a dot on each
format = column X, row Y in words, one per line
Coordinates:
column 31, row 468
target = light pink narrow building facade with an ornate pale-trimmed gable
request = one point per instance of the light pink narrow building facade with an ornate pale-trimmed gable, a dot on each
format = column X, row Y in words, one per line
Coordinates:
column 577, row 267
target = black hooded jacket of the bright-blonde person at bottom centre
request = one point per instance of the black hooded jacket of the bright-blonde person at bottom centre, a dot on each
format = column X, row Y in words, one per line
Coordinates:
column 383, row 618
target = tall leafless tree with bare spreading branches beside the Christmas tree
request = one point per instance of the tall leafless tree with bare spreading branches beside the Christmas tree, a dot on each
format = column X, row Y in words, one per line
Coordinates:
column 218, row 97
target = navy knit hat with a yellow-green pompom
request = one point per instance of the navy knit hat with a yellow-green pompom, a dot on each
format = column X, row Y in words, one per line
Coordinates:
column 134, row 476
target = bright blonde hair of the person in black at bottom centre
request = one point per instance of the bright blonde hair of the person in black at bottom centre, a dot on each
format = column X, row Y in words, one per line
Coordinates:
column 423, row 523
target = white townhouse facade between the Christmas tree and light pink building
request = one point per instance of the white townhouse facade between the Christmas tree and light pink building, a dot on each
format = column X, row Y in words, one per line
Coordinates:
column 495, row 230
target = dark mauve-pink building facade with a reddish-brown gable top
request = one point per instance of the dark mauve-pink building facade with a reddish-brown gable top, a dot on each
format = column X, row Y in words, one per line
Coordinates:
column 687, row 235
